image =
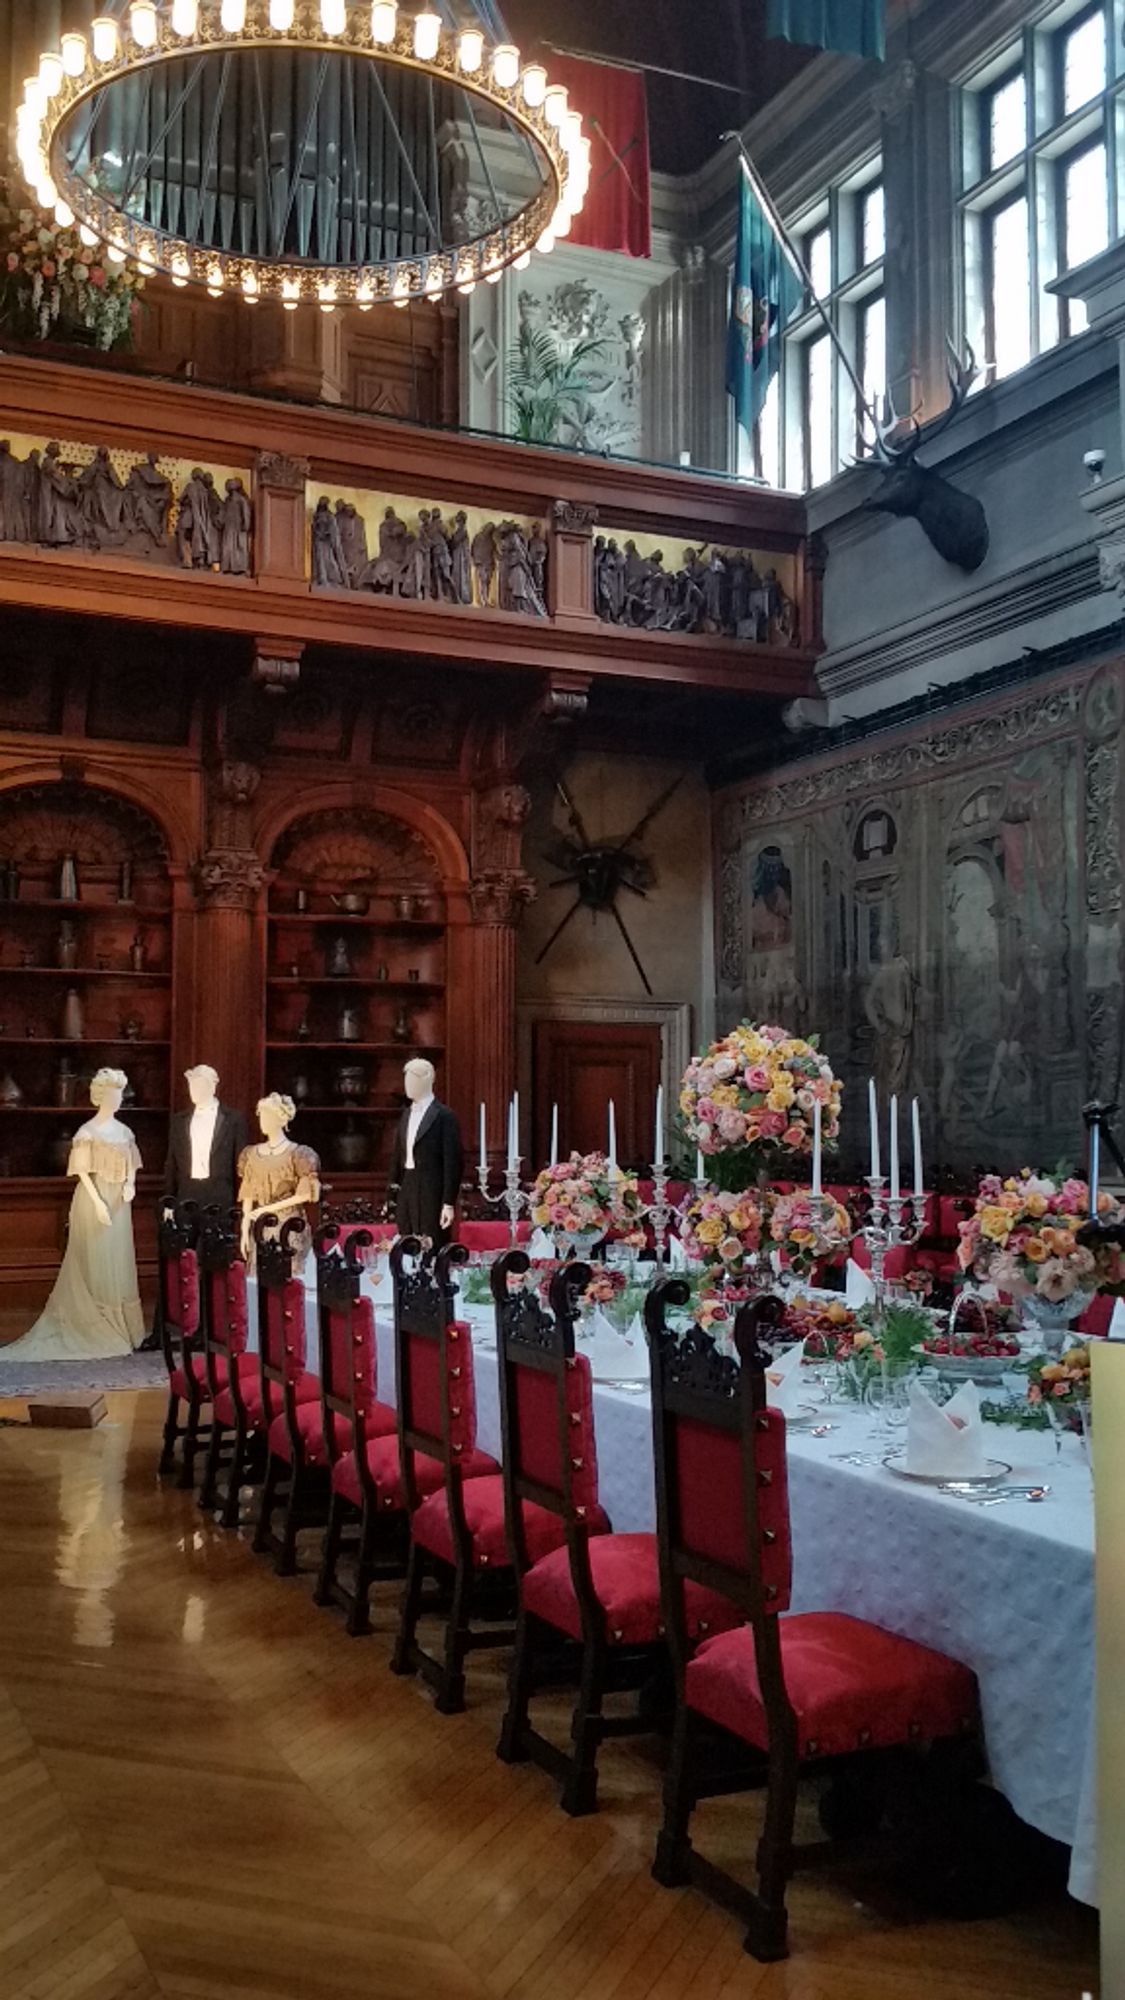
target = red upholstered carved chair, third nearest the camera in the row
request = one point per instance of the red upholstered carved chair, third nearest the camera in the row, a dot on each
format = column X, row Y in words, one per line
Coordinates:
column 437, row 1427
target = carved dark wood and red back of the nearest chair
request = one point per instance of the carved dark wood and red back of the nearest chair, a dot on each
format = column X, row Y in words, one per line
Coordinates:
column 722, row 1477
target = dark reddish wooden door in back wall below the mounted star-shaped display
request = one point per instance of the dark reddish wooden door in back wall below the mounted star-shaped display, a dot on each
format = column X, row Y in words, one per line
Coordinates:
column 580, row 1067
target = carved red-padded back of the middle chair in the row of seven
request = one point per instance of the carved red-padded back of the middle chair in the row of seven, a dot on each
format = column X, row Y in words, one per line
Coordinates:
column 347, row 1341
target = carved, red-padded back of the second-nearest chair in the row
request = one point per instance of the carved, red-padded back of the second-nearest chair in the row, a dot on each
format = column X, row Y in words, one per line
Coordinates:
column 547, row 1415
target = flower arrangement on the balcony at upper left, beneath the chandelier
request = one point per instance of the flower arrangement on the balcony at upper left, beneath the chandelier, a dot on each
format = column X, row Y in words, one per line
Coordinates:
column 53, row 285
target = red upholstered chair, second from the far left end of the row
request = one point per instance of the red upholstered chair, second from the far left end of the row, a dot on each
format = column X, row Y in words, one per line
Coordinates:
column 231, row 1371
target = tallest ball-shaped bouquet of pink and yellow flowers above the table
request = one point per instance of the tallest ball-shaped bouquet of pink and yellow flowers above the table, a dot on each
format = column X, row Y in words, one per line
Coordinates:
column 752, row 1099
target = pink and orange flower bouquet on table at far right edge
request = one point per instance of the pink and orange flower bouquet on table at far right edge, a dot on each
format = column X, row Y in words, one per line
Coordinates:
column 1022, row 1237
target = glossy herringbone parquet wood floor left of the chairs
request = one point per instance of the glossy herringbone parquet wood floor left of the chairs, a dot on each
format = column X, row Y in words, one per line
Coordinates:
column 209, row 1793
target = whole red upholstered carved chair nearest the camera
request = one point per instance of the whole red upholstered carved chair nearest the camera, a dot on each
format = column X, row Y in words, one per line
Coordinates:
column 796, row 1689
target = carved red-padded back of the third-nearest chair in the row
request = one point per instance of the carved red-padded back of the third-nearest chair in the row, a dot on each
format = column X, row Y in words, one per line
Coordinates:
column 433, row 1365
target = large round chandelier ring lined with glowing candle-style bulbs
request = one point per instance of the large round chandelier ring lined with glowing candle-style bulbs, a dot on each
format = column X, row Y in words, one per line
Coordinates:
column 157, row 37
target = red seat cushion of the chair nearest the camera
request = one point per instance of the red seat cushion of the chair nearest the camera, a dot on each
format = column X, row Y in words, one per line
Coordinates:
column 852, row 1685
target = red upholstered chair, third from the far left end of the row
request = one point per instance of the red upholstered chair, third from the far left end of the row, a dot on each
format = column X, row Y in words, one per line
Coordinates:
column 289, row 1399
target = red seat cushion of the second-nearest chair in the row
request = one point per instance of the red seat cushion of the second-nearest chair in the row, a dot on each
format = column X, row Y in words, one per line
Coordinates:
column 628, row 1585
